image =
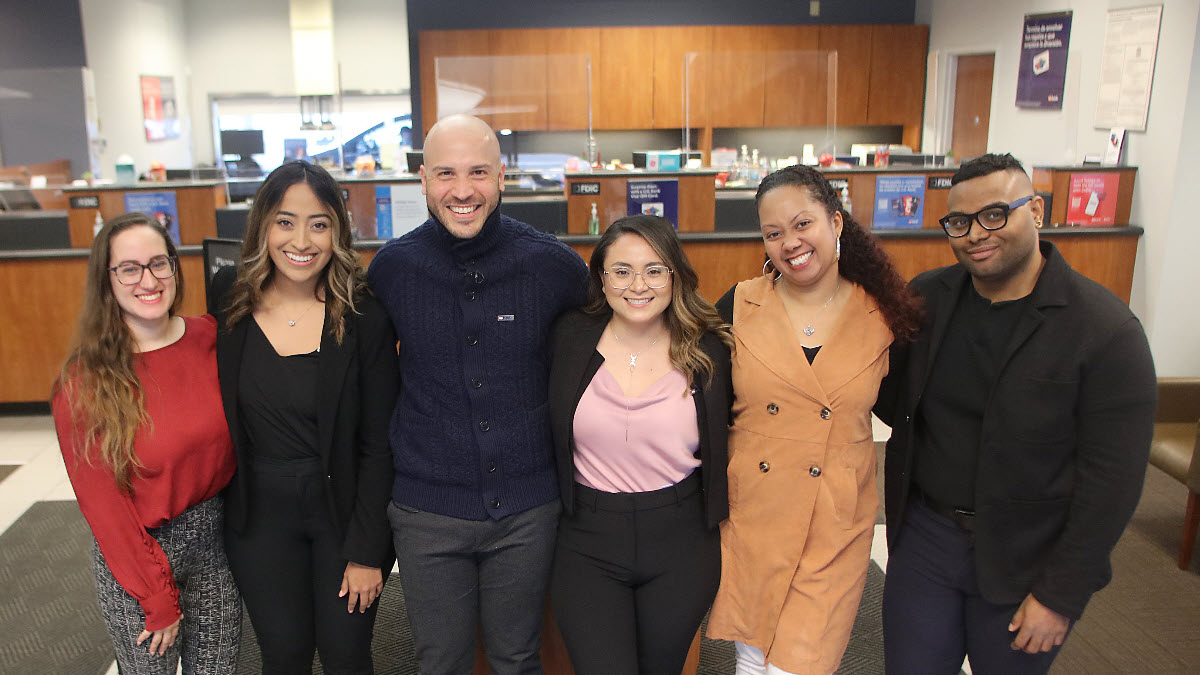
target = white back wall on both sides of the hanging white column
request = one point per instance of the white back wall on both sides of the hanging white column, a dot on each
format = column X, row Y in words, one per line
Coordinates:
column 245, row 47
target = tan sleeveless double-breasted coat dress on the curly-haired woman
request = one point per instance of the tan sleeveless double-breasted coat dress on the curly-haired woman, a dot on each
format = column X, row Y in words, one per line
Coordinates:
column 803, row 501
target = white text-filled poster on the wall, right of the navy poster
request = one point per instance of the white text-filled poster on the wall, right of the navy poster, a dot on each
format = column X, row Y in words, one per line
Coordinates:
column 1127, row 68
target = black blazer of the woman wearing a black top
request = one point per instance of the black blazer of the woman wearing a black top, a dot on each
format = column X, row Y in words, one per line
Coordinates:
column 359, row 381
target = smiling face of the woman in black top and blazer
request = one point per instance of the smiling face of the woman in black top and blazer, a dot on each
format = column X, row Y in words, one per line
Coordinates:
column 301, row 237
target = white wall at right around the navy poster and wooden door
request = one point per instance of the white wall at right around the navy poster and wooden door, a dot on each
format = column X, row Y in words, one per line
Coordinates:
column 1165, row 279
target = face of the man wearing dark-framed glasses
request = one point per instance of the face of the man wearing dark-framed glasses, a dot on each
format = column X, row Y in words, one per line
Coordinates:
column 1000, row 256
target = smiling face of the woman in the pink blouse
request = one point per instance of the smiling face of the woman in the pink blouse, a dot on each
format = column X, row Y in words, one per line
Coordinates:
column 639, row 303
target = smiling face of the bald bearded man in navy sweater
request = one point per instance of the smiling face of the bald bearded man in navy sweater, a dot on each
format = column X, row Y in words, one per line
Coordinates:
column 463, row 176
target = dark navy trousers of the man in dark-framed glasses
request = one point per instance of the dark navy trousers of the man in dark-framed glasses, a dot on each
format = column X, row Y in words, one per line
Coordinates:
column 933, row 612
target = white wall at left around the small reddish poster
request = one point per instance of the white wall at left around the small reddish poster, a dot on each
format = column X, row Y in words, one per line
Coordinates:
column 125, row 40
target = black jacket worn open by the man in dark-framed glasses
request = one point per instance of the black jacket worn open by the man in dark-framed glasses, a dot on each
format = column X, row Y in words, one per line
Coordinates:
column 1065, row 440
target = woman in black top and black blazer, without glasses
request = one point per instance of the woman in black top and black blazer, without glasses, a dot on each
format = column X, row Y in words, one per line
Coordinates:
column 309, row 375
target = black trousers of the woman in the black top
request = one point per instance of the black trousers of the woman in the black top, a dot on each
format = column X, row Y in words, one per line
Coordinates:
column 289, row 565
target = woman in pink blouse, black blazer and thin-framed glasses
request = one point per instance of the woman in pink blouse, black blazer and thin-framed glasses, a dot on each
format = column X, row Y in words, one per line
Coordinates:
column 640, row 405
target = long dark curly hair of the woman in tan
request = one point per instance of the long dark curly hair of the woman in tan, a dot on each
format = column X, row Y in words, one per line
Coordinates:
column 863, row 260
